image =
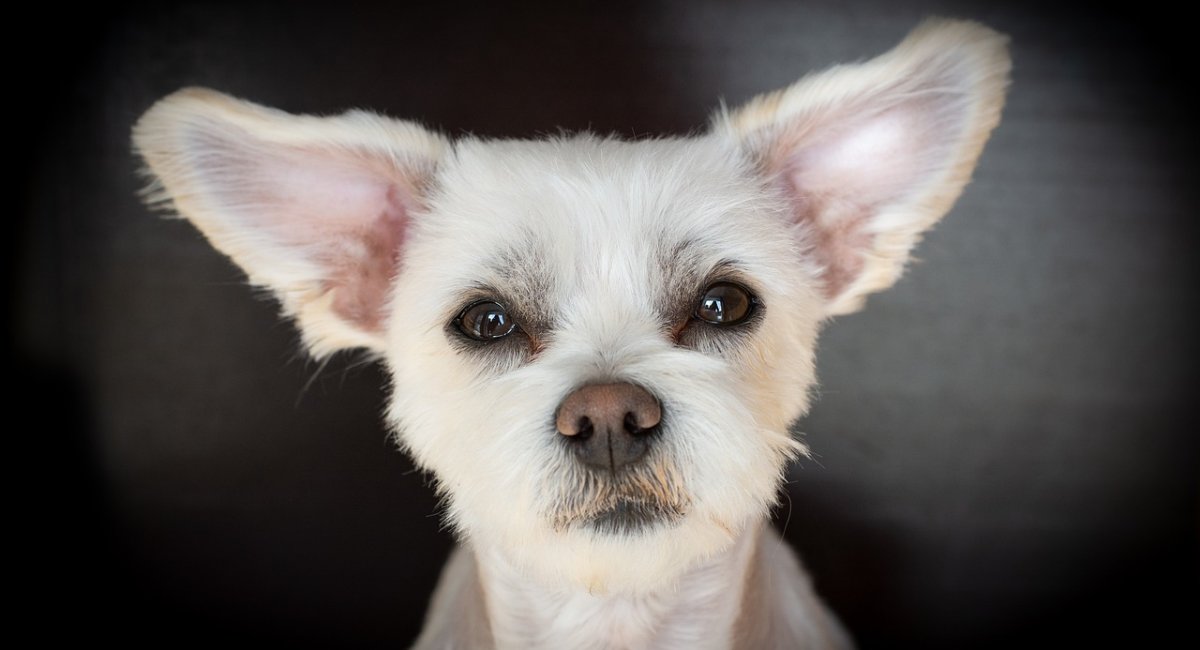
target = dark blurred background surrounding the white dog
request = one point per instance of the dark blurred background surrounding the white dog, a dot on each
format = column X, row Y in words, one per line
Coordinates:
column 1006, row 442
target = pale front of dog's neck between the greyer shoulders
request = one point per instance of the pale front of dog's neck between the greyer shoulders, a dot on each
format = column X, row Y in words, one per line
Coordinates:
column 700, row 611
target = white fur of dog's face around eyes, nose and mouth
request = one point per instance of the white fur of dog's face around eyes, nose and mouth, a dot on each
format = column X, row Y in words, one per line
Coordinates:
column 599, row 224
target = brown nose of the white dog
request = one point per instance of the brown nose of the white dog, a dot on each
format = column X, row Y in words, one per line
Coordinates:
column 608, row 424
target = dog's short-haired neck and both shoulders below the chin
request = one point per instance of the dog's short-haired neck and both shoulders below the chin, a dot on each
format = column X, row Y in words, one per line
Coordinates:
column 753, row 595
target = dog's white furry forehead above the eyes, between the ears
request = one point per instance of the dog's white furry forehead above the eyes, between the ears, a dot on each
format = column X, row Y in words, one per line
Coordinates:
column 589, row 212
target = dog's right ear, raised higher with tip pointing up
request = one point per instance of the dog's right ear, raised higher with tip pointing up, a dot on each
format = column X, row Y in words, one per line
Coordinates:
column 872, row 155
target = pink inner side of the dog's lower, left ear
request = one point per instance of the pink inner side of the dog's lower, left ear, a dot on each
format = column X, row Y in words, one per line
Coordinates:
column 340, row 213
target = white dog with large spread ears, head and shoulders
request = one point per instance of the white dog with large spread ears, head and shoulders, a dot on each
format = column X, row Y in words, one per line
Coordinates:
column 597, row 347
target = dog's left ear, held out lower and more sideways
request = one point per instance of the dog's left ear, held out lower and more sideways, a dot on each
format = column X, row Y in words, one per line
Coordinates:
column 315, row 209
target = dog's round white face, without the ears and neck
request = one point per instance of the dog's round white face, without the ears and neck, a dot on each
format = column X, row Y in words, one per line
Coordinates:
column 603, row 266
